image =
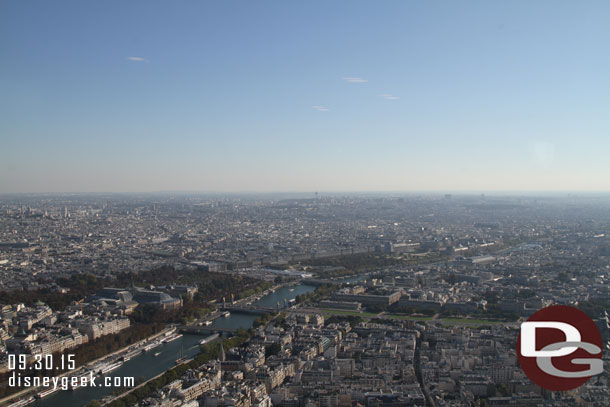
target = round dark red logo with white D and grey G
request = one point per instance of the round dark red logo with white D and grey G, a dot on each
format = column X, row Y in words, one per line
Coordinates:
column 560, row 348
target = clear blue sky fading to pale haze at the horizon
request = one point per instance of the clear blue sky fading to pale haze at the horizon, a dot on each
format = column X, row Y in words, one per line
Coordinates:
column 140, row 96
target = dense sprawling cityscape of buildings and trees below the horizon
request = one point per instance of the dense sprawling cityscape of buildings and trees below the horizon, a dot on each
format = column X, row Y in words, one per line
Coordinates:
column 401, row 300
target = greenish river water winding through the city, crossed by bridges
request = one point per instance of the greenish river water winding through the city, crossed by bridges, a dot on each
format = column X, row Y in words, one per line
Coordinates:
column 147, row 365
